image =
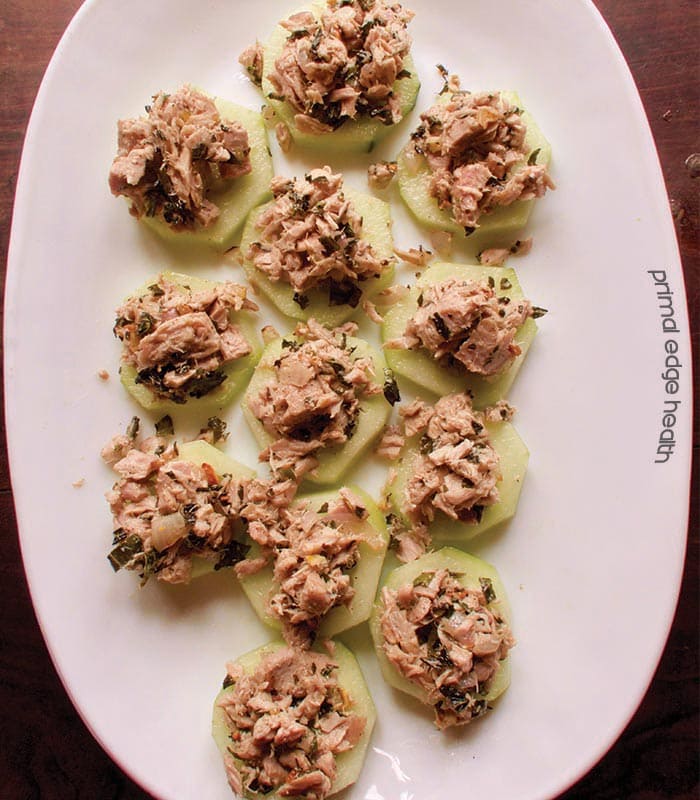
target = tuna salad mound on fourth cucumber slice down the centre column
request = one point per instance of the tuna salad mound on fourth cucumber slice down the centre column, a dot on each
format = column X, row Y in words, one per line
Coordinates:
column 312, row 555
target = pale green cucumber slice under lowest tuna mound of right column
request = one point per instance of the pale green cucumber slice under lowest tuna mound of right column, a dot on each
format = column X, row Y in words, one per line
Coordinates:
column 468, row 569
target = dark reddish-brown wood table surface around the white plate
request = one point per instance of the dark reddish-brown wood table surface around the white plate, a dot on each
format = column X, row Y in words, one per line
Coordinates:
column 45, row 750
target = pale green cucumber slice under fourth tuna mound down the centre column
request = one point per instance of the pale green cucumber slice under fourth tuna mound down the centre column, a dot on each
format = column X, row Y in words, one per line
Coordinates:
column 364, row 577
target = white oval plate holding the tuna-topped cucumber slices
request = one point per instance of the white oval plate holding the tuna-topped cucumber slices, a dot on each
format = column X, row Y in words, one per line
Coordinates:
column 593, row 558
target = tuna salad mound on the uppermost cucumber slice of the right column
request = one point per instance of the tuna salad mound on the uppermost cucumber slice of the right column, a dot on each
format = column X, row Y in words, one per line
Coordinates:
column 474, row 147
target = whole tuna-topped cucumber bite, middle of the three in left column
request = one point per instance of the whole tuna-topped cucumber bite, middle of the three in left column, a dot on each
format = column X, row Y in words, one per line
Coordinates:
column 186, row 340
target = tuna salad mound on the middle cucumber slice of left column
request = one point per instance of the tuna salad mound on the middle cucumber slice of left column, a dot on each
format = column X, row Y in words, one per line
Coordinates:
column 178, row 341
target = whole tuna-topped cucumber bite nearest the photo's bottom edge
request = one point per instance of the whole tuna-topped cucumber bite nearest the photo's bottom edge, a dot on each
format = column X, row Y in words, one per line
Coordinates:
column 293, row 723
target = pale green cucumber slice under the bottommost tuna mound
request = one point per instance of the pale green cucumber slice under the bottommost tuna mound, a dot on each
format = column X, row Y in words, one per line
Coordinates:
column 349, row 764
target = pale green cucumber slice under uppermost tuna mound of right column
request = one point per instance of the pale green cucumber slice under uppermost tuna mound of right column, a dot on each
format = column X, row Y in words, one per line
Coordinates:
column 498, row 227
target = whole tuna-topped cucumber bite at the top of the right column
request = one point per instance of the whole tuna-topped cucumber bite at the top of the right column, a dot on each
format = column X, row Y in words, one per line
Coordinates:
column 476, row 161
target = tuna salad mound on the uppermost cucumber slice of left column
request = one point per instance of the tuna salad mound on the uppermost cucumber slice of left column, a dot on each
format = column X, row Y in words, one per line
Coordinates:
column 168, row 160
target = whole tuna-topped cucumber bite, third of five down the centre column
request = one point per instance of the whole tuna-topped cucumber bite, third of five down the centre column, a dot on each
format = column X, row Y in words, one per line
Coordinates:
column 314, row 404
